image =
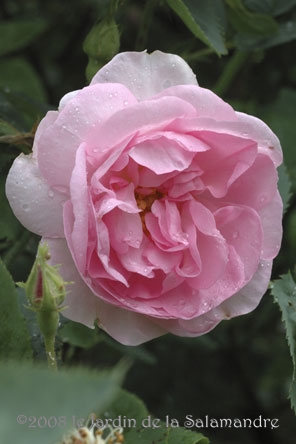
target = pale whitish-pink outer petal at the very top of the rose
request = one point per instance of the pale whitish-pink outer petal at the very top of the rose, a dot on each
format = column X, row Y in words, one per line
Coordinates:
column 141, row 72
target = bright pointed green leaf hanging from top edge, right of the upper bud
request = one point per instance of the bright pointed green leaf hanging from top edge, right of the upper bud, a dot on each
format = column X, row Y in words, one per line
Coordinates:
column 205, row 19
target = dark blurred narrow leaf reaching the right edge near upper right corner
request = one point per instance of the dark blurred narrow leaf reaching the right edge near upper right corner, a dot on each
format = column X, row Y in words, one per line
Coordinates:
column 286, row 33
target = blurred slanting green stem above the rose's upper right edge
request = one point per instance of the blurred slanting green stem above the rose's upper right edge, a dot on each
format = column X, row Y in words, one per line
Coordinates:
column 232, row 68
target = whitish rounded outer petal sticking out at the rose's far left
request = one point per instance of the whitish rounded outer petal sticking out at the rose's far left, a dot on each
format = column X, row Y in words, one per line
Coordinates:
column 38, row 207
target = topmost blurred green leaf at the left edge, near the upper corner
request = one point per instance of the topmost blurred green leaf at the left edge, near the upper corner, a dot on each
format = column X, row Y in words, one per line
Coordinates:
column 17, row 34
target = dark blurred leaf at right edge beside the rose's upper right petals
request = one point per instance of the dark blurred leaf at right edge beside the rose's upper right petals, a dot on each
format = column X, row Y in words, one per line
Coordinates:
column 280, row 115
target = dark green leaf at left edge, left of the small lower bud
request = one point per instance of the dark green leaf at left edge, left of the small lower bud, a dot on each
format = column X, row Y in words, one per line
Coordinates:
column 14, row 336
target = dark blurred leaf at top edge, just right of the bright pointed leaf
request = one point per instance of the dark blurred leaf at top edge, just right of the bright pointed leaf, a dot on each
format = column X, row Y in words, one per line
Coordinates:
column 248, row 22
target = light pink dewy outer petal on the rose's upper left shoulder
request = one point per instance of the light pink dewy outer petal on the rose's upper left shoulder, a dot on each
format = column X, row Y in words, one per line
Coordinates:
column 87, row 110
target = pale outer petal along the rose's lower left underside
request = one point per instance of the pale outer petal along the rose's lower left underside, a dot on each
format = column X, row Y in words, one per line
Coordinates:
column 83, row 306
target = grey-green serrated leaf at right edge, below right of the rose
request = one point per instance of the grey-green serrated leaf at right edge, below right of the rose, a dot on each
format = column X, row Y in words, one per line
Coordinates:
column 284, row 292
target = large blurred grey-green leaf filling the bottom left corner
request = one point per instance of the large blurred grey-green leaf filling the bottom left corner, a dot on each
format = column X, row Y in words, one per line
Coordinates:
column 40, row 406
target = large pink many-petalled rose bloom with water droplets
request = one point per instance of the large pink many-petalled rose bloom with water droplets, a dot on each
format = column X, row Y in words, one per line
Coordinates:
column 158, row 200
